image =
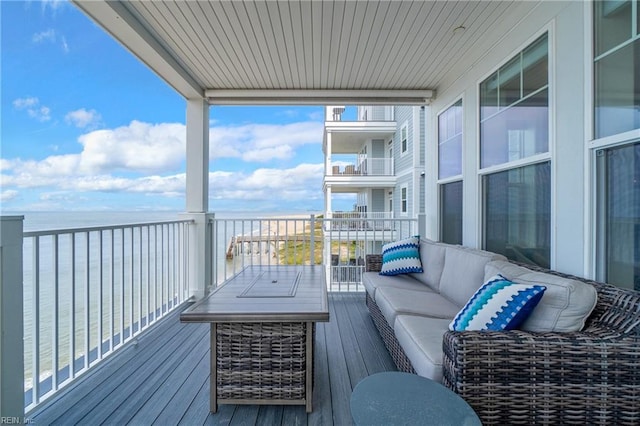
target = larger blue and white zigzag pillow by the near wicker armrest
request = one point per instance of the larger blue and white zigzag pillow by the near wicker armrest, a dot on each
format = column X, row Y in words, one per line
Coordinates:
column 498, row 305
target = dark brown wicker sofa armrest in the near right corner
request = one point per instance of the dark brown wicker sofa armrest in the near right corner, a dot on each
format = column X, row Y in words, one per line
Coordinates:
column 519, row 377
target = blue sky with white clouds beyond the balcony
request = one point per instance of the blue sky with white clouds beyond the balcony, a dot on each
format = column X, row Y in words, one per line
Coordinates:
column 86, row 126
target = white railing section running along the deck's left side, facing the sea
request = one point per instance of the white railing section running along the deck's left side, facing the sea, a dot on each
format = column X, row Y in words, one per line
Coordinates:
column 88, row 291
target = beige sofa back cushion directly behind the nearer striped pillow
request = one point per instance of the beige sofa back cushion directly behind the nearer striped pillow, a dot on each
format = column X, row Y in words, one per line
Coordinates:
column 566, row 303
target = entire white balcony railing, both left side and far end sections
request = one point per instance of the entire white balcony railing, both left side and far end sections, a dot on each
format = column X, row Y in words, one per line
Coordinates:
column 89, row 291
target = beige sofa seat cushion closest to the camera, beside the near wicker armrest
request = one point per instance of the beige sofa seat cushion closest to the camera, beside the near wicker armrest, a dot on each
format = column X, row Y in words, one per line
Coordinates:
column 421, row 341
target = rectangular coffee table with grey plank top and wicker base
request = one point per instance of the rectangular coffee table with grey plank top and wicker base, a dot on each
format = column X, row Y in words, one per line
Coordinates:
column 262, row 334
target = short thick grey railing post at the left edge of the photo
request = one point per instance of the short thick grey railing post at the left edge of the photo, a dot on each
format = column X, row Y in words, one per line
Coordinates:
column 11, row 320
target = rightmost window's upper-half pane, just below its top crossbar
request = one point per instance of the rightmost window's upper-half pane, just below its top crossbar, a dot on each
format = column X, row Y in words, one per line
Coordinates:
column 617, row 92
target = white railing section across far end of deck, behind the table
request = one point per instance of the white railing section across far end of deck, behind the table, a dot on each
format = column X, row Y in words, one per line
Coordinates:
column 339, row 244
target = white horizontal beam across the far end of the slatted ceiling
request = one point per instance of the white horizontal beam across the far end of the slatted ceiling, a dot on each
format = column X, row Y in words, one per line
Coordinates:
column 319, row 97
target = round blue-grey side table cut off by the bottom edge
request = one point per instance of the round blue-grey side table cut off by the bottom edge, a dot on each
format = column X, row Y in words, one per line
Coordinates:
column 395, row 398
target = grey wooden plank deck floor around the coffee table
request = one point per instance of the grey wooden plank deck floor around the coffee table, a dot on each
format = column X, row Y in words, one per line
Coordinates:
column 163, row 379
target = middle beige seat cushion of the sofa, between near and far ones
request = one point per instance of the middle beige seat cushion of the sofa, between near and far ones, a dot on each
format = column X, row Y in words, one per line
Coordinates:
column 394, row 301
